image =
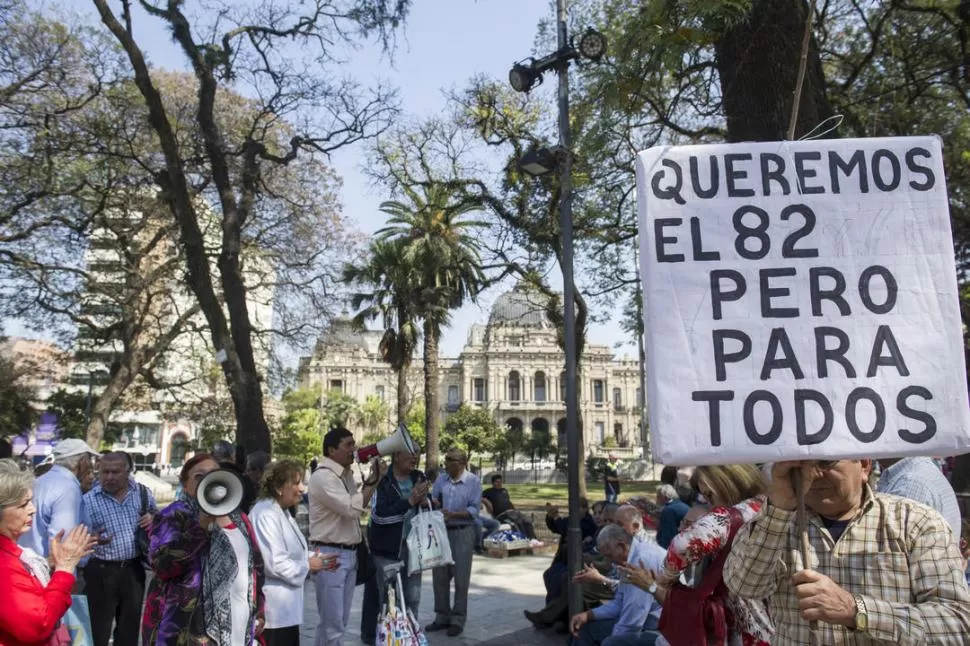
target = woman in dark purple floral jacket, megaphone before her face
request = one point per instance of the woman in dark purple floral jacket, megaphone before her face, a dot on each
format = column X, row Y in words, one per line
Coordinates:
column 208, row 572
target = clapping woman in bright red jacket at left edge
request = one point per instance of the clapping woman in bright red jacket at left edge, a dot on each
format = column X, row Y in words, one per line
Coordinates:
column 32, row 598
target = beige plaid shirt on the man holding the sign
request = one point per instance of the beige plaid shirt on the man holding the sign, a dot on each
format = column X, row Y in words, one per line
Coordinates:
column 899, row 556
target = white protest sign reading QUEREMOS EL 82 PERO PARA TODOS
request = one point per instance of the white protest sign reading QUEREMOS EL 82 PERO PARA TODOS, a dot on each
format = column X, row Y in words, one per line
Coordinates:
column 800, row 301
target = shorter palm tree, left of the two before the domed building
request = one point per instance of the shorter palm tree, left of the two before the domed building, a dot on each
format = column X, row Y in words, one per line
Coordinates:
column 386, row 292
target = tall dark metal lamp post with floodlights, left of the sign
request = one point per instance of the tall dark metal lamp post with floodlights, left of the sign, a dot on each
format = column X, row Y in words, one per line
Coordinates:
column 523, row 77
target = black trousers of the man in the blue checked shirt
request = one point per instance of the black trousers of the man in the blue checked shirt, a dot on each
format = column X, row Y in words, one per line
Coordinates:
column 115, row 590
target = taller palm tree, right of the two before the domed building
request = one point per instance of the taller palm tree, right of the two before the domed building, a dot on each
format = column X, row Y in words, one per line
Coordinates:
column 441, row 247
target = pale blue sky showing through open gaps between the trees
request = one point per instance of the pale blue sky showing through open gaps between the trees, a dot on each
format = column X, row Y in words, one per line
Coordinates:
column 443, row 44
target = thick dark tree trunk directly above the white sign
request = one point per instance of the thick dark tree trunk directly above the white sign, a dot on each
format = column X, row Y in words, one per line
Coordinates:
column 757, row 61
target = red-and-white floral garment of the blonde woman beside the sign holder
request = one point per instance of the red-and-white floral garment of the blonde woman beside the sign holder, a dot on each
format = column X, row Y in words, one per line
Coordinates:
column 705, row 538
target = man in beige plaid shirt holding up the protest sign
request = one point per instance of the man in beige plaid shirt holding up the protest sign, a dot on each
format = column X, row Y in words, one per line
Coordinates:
column 885, row 570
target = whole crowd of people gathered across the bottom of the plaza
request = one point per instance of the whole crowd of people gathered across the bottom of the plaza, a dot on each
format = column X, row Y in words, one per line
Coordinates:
column 887, row 554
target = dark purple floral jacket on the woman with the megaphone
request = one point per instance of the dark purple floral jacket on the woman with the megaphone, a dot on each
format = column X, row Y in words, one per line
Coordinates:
column 173, row 608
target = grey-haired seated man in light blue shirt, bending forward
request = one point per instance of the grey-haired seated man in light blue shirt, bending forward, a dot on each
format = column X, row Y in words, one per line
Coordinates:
column 631, row 614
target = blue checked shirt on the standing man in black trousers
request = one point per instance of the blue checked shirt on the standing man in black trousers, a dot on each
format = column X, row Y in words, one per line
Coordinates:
column 118, row 519
